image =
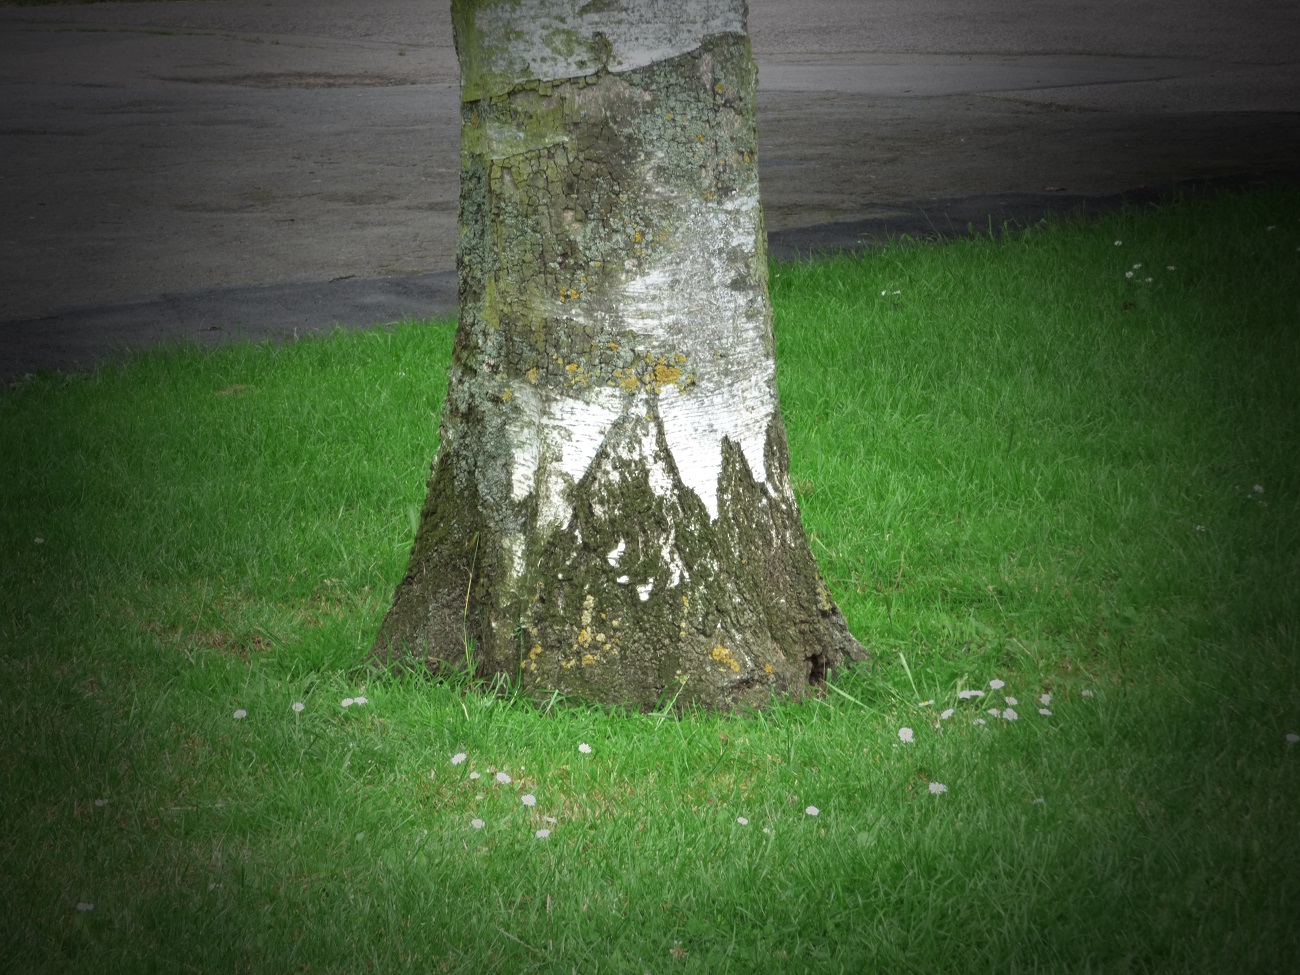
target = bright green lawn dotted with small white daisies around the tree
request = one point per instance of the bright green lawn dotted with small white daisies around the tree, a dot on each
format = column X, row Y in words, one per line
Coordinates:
column 1024, row 466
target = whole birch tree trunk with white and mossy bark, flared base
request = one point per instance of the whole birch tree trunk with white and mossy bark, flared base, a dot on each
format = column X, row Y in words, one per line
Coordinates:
column 609, row 514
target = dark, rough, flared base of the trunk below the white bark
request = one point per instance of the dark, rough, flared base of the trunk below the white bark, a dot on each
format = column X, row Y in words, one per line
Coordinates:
column 639, row 600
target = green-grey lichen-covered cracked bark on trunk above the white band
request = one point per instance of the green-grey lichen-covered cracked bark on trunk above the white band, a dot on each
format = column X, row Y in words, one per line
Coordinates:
column 554, row 175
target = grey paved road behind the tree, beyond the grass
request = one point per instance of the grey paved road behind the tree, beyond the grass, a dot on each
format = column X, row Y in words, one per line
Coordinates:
column 197, row 168
